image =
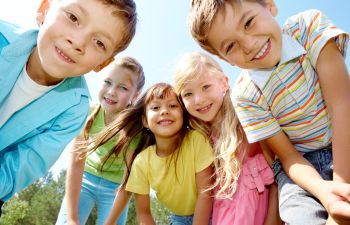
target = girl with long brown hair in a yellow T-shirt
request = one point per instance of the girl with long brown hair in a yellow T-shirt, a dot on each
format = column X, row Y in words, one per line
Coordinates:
column 172, row 160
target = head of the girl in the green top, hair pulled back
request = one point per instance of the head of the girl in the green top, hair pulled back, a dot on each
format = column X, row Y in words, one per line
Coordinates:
column 122, row 82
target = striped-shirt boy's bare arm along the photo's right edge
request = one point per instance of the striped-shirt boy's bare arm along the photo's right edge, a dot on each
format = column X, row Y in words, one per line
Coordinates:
column 335, row 86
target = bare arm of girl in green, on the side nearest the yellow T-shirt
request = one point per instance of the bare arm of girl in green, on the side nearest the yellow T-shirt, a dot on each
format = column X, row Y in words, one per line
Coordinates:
column 120, row 201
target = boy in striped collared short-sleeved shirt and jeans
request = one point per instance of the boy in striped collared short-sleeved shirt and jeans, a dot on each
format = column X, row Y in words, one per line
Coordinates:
column 295, row 81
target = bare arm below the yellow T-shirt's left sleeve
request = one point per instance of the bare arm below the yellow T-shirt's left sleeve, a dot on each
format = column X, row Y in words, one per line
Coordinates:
column 143, row 210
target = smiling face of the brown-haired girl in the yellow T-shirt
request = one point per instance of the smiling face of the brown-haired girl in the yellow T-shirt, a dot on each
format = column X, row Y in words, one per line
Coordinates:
column 164, row 116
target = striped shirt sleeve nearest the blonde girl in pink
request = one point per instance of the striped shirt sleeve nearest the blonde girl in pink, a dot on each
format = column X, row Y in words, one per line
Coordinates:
column 253, row 111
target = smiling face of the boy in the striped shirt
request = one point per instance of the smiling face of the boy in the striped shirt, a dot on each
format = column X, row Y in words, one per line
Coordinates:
column 247, row 35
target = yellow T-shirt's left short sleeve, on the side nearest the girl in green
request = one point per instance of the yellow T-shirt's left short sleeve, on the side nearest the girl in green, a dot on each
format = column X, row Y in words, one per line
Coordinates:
column 138, row 180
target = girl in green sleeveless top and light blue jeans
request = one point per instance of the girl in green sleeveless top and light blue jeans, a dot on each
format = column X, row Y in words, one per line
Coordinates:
column 94, row 179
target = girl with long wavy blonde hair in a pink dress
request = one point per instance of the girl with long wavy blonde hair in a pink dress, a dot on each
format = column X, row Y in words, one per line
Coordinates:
column 243, row 176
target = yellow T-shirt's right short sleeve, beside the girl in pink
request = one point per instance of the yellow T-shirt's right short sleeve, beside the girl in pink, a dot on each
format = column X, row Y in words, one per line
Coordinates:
column 204, row 155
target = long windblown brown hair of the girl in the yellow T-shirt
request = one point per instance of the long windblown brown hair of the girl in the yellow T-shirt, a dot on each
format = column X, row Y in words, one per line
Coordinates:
column 130, row 128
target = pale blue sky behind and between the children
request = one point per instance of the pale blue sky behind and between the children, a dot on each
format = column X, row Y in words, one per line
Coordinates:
column 162, row 35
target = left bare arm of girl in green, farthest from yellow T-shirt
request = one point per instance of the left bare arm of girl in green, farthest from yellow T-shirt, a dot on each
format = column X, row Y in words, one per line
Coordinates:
column 73, row 183
